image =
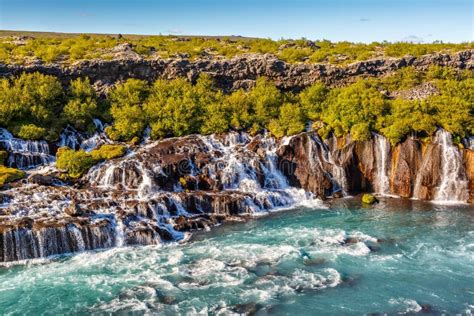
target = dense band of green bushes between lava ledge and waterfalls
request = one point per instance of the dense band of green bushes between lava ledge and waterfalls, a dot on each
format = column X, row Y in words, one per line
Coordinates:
column 36, row 106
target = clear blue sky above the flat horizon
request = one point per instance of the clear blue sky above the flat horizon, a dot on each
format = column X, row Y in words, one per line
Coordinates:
column 353, row 20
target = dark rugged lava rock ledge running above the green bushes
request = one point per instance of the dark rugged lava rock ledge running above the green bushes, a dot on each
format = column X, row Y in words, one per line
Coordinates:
column 239, row 72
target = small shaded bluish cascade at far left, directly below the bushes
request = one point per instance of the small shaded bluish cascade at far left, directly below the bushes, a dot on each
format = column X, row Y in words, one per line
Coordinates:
column 25, row 154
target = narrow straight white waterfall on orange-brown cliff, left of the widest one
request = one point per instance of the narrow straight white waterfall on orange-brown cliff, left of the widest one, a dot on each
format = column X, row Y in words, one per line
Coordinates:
column 382, row 158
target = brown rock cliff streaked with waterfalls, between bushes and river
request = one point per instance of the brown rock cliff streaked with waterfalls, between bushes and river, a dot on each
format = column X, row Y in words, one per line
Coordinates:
column 163, row 189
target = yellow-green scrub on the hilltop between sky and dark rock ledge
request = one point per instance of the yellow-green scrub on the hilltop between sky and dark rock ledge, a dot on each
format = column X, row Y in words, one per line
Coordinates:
column 69, row 48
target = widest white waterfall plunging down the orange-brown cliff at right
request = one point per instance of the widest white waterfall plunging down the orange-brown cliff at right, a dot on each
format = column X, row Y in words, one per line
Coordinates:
column 454, row 183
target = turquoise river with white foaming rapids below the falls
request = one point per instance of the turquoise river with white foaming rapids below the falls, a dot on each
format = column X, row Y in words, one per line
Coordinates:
column 400, row 256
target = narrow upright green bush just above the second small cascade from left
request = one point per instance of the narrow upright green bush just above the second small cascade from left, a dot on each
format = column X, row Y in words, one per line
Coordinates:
column 81, row 107
